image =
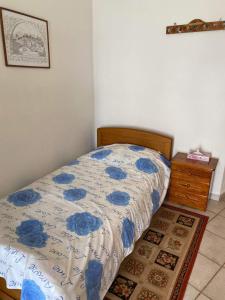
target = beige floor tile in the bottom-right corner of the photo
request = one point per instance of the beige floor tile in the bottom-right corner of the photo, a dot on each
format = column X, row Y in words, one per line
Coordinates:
column 216, row 288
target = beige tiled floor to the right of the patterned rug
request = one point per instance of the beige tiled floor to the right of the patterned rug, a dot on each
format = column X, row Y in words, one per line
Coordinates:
column 207, row 279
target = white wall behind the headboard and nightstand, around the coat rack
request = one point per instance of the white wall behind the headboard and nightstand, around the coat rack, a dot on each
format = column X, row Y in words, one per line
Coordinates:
column 171, row 83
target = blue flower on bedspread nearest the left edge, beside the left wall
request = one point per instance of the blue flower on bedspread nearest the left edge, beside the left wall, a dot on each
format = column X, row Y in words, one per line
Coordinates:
column 24, row 198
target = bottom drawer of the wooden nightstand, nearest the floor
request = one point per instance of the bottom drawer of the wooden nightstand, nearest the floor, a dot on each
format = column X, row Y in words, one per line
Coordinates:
column 192, row 200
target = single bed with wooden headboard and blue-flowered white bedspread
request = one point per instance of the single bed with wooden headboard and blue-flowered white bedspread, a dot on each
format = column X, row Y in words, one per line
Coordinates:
column 65, row 236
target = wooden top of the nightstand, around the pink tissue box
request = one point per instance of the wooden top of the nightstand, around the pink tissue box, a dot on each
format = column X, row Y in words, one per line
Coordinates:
column 181, row 159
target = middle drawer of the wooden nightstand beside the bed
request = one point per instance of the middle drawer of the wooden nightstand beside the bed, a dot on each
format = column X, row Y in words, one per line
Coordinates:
column 190, row 186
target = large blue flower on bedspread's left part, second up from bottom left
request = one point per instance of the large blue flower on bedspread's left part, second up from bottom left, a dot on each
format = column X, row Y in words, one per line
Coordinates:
column 31, row 234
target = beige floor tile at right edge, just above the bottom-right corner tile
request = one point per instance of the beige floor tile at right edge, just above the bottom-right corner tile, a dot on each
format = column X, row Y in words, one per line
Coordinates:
column 213, row 247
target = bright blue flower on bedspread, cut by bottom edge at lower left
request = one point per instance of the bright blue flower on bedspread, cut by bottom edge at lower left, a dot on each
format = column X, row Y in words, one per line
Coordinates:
column 31, row 291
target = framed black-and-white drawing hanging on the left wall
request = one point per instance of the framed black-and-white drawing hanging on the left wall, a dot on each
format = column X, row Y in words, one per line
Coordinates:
column 25, row 40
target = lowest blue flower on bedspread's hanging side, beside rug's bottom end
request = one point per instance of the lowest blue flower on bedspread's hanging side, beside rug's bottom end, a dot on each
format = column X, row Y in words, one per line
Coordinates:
column 93, row 276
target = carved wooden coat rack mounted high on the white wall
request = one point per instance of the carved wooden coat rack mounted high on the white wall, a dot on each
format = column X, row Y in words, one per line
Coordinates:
column 196, row 26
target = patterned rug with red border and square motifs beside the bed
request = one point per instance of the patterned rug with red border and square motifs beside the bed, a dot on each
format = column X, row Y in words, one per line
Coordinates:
column 163, row 258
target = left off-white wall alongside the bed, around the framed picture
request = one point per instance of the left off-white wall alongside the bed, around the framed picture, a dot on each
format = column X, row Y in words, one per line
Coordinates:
column 46, row 116
